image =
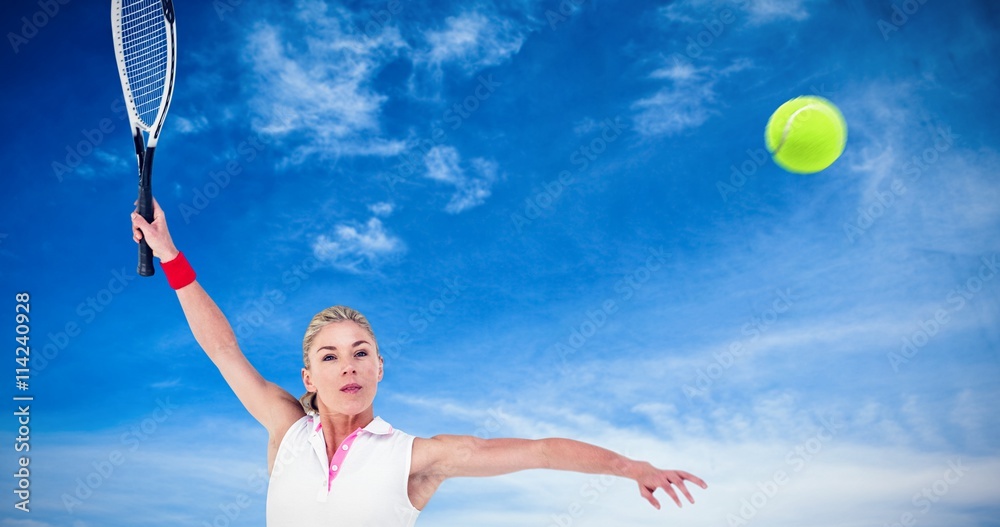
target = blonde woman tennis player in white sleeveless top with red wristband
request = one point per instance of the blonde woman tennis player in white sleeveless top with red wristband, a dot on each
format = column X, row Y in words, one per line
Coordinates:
column 331, row 460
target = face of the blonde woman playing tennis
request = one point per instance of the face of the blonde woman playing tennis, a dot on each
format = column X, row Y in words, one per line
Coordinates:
column 343, row 370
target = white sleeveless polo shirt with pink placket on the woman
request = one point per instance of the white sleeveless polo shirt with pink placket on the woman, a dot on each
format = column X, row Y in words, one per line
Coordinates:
column 365, row 484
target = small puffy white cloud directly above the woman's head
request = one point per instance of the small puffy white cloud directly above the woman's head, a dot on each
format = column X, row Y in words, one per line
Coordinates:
column 357, row 248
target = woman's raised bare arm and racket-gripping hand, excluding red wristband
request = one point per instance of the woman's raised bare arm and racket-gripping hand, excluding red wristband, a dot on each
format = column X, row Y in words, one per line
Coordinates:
column 268, row 403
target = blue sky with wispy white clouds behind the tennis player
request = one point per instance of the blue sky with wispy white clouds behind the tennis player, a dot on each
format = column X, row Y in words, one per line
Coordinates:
column 559, row 218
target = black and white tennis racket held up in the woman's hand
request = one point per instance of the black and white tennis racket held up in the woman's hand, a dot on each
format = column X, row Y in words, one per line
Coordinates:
column 145, row 47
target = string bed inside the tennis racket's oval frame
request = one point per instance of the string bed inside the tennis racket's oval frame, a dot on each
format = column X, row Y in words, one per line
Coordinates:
column 144, row 45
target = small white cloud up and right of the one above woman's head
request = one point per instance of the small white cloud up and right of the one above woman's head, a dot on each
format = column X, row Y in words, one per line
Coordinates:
column 443, row 164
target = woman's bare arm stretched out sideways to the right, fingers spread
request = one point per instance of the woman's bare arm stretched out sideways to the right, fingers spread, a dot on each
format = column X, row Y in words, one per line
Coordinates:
column 447, row 456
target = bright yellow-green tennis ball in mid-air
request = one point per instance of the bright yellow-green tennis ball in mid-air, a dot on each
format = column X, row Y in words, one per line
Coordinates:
column 806, row 134
